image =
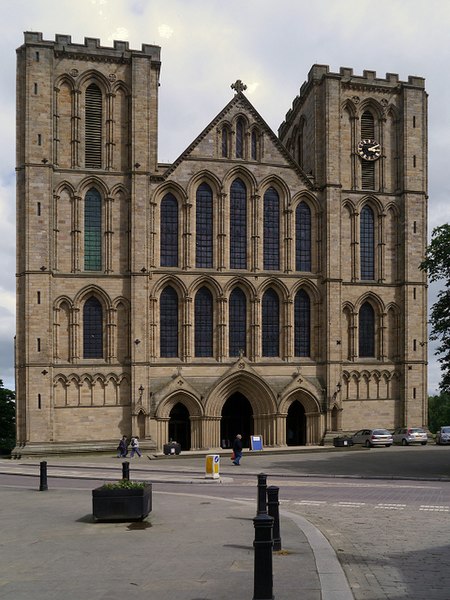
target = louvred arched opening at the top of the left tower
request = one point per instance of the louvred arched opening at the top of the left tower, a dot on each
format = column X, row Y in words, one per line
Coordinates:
column 93, row 127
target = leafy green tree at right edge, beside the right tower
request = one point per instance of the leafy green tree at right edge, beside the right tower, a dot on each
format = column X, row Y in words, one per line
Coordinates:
column 437, row 265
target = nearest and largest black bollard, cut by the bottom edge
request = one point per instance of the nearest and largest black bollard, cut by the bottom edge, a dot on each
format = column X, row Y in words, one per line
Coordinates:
column 263, row 575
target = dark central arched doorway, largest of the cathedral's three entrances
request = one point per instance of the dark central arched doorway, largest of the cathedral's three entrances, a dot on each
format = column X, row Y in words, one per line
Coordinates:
column 237, row 417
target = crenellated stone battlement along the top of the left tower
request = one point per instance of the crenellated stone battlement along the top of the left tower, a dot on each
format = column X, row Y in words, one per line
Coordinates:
column 63, row 43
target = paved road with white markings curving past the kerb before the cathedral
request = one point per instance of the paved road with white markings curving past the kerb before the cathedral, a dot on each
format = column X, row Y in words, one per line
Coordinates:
column 386, row 511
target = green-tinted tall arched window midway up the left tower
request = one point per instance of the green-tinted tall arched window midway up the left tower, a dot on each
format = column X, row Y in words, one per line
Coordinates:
column 93, row 231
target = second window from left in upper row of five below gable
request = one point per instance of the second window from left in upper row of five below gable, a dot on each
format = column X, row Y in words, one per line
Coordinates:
column 204, row 227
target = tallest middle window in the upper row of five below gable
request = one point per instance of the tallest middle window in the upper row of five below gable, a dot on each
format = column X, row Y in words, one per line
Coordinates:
column 238, row 225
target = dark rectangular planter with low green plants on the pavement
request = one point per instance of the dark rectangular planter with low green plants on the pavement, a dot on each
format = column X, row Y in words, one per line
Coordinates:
column 121, row 504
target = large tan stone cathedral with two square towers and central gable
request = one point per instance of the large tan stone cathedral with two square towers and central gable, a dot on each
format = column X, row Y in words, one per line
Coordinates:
column 264, row 283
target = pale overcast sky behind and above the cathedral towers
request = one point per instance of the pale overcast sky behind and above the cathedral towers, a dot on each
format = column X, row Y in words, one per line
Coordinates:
column 208, row 44
